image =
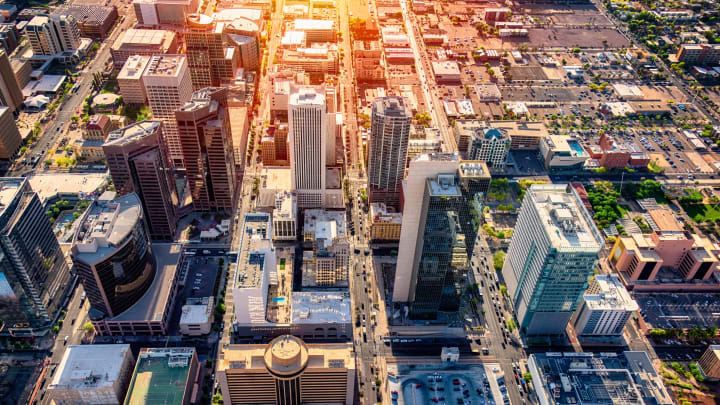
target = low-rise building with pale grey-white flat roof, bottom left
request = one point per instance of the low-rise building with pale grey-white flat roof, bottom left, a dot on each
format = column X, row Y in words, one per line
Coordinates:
column 92, row 374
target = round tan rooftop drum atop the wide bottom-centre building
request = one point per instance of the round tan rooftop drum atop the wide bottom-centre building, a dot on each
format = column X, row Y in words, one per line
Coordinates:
column 286, row 356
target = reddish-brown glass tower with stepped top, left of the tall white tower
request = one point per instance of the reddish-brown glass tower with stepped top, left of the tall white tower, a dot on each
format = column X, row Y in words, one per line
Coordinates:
column 206, row 142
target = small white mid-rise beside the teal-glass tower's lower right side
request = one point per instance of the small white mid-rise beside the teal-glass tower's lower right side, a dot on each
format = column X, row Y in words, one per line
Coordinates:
column 605, row 308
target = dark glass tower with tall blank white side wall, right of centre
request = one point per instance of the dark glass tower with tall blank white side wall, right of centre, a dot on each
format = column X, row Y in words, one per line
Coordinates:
column 443, row 199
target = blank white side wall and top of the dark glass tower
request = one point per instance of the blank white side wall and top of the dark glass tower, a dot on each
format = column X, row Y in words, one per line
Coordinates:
column 421, row 168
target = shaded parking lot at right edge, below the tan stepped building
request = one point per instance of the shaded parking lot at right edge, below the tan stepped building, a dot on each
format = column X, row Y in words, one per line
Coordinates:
column 679, row 310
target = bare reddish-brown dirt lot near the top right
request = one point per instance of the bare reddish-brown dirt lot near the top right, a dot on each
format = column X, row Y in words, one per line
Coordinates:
column 571, row 37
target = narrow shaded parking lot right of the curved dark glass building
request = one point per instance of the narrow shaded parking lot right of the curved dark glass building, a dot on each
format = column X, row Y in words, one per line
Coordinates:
column 200, row 282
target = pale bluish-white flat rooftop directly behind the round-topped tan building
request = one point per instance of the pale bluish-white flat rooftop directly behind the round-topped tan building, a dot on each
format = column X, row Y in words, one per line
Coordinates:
column 321, row 307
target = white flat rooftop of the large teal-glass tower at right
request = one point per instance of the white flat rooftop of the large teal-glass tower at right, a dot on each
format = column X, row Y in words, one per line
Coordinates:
column 564, row 219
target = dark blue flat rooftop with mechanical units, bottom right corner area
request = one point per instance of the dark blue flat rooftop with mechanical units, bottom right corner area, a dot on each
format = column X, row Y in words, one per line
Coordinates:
column 628, row 378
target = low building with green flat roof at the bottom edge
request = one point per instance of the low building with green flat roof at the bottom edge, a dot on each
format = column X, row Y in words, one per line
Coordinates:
column 161, row 376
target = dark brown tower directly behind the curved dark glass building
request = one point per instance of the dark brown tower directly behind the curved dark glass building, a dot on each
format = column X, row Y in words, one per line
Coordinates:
column 138, row 165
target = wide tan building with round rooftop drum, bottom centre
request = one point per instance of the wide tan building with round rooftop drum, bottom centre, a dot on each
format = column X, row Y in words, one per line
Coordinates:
column 287, row 371
